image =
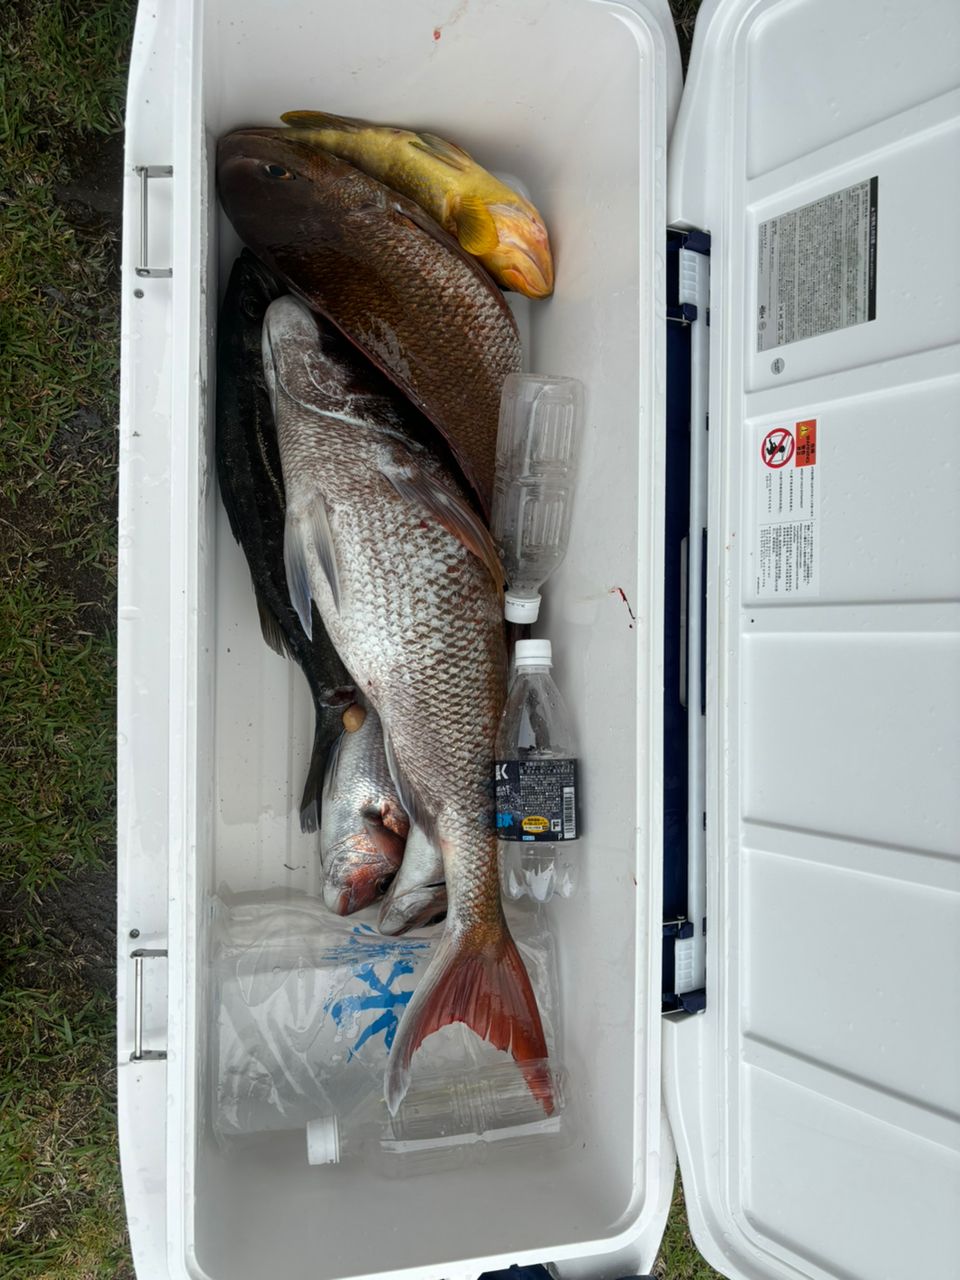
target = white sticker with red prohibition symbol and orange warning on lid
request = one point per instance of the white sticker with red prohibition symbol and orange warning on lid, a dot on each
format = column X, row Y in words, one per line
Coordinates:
column 787, row 548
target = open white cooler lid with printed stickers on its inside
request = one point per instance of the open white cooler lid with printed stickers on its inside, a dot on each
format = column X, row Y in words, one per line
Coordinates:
column 816, row 1104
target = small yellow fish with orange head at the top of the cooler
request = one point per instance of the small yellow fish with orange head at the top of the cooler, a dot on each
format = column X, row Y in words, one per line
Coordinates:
column 490, row 220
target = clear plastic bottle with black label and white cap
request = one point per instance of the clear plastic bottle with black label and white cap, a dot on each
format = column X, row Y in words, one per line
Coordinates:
column 536, row 775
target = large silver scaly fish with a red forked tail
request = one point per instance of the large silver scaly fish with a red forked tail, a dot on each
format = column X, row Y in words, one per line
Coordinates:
column 408, row 582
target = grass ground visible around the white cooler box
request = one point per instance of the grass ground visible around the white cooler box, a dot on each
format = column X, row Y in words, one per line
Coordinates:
column 62, row 88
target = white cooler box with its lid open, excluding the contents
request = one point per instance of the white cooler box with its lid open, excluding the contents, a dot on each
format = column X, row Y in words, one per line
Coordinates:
column 808, row 785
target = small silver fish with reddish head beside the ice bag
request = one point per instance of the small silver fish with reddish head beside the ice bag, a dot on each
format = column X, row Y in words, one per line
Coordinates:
column 364, row 826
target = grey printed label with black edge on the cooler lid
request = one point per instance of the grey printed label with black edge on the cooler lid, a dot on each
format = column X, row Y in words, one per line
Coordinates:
column 817, row 268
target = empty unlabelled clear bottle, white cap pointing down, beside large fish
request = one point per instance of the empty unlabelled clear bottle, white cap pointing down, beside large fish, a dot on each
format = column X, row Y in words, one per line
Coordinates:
column 537, row 454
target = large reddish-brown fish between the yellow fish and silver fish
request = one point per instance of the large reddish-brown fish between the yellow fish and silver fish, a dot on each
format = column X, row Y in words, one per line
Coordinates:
column 387, row 276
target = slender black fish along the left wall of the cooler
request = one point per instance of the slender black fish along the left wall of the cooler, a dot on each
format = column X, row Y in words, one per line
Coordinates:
column 252, row 487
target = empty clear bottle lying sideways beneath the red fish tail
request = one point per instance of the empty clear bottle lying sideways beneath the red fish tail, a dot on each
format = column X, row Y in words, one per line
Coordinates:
column 445, row 1121
